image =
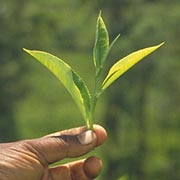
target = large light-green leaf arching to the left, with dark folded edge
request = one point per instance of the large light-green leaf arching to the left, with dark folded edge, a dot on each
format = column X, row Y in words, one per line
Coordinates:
column 69, row 78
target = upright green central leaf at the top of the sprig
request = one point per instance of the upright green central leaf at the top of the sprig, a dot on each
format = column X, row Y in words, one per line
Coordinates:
column 101, row 46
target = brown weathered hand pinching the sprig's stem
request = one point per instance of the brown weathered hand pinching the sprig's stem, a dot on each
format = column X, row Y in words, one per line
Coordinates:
column 30, row 159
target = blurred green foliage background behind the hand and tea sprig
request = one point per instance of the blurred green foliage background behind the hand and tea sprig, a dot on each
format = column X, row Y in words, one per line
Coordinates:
column 141, row 111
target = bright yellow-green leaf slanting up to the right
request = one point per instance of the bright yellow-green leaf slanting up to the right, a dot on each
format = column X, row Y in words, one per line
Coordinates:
column 126, row 63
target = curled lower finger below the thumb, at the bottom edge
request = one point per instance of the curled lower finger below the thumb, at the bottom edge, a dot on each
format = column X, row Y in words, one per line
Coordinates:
column 84, row 169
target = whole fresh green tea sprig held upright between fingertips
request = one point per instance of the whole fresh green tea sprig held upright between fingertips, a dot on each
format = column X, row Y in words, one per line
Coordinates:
column 74, row 83
